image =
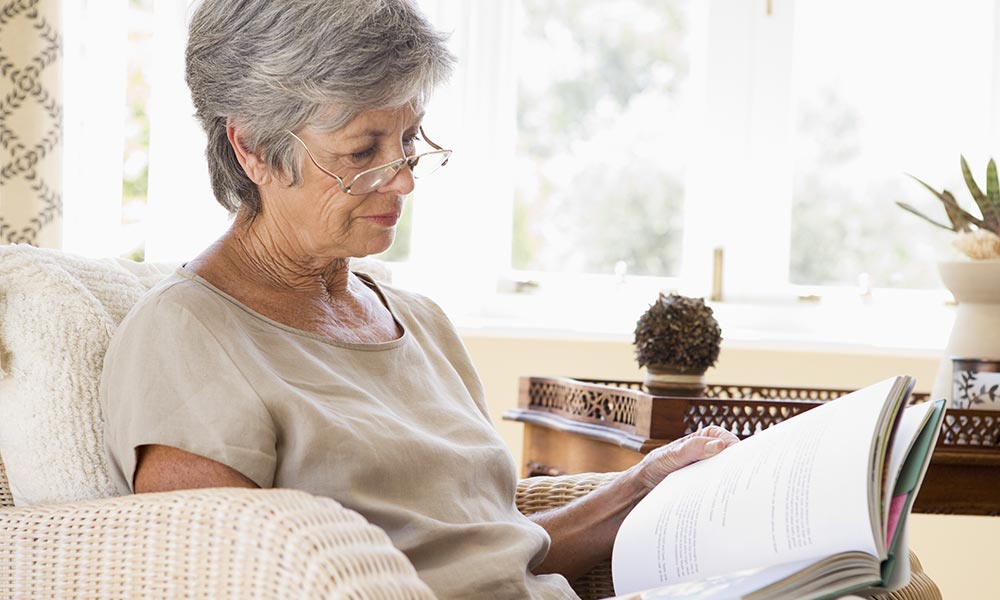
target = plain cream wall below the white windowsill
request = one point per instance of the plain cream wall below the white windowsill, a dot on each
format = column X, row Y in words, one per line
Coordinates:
column 958, row 552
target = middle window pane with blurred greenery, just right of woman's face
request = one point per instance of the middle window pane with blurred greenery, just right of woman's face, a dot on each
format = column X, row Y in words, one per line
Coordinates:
column 601, row 136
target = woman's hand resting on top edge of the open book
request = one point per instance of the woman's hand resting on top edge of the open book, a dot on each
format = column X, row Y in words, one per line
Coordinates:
column 702, row 444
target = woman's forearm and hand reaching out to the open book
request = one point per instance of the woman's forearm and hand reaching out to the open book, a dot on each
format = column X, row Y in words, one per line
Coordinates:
column 583, row 532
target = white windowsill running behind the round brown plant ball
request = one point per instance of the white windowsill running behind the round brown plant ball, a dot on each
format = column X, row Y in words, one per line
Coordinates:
column 886, row 327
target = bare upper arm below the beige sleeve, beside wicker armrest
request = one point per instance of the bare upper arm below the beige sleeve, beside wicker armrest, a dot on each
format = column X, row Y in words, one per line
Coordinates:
column 165, row 469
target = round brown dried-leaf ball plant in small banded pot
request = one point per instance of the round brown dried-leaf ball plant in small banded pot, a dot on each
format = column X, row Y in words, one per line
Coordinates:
column 677, row 340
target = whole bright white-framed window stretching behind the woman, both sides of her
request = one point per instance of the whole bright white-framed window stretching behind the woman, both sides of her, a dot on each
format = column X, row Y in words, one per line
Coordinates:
column 604, row 151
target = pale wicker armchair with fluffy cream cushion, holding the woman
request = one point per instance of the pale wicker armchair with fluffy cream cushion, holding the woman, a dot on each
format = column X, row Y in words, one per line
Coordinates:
column 208, row 543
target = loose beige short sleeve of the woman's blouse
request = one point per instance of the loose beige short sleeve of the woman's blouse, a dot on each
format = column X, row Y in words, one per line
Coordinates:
column 169, row 379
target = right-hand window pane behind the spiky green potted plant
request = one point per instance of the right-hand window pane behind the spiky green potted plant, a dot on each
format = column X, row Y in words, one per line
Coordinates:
column 869, row 105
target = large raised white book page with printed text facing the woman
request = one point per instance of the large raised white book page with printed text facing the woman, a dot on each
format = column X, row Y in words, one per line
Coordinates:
column 796, row 491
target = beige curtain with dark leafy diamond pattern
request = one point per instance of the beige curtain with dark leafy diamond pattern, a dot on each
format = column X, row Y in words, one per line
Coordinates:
column 30, row 123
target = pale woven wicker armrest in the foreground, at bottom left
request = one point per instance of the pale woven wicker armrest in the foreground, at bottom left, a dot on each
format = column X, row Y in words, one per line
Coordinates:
column 211, row 543
